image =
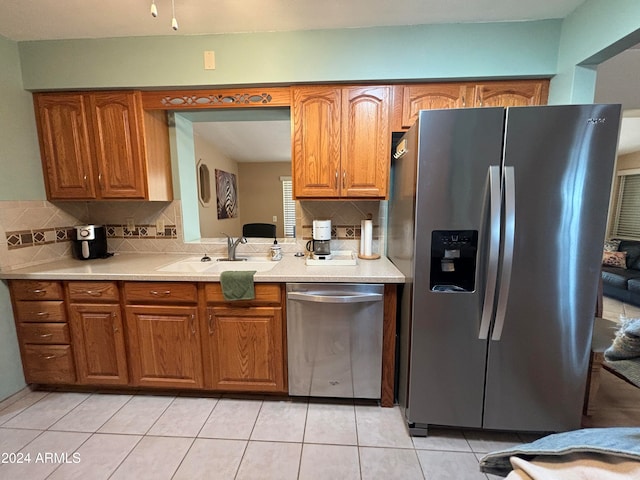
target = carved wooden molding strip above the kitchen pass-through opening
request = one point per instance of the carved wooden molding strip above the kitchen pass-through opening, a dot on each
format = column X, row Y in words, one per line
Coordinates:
column 222, row 98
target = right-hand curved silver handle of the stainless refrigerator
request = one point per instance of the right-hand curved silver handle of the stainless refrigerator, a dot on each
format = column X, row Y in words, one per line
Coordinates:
column 507, row 261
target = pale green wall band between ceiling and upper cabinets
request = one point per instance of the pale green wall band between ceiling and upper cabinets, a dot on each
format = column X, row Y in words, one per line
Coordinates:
column 525, row 49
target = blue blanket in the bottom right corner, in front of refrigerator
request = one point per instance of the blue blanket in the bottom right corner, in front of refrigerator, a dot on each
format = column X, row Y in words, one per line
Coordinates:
column 622, row 442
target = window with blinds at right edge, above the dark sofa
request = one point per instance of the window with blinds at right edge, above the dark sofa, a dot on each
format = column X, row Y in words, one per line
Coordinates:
column 626, row 220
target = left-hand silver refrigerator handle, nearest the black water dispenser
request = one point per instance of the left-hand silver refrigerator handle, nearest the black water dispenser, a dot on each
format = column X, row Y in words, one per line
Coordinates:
column 494, row 251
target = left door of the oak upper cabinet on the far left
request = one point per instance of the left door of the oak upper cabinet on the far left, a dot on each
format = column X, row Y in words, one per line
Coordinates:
column 64, row 146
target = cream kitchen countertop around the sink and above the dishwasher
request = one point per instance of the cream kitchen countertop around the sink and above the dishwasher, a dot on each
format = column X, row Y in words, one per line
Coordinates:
column 141, row 267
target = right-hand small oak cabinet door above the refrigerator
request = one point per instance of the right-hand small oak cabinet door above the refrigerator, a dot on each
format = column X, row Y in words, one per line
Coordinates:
column 510, row 94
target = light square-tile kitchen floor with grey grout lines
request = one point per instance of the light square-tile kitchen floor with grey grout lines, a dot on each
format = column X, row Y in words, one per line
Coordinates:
column 105, row 435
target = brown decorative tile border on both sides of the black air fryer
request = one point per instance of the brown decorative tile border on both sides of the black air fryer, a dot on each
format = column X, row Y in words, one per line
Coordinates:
column 36, row 237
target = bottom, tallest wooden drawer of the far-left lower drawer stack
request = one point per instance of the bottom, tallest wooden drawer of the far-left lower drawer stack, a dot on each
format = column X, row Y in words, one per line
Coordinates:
column 48, row 364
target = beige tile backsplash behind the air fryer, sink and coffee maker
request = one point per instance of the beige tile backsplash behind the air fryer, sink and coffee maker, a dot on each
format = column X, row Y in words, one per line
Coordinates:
column 40, row 231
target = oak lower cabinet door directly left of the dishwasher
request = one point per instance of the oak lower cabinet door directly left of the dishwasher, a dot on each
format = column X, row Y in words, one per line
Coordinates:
column 246, row 348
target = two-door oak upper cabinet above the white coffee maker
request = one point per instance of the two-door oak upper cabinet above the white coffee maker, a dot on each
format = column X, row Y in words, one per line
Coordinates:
column 341, row 142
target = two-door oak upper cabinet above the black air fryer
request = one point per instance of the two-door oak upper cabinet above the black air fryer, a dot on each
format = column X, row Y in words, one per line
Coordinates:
column 103, row 145
